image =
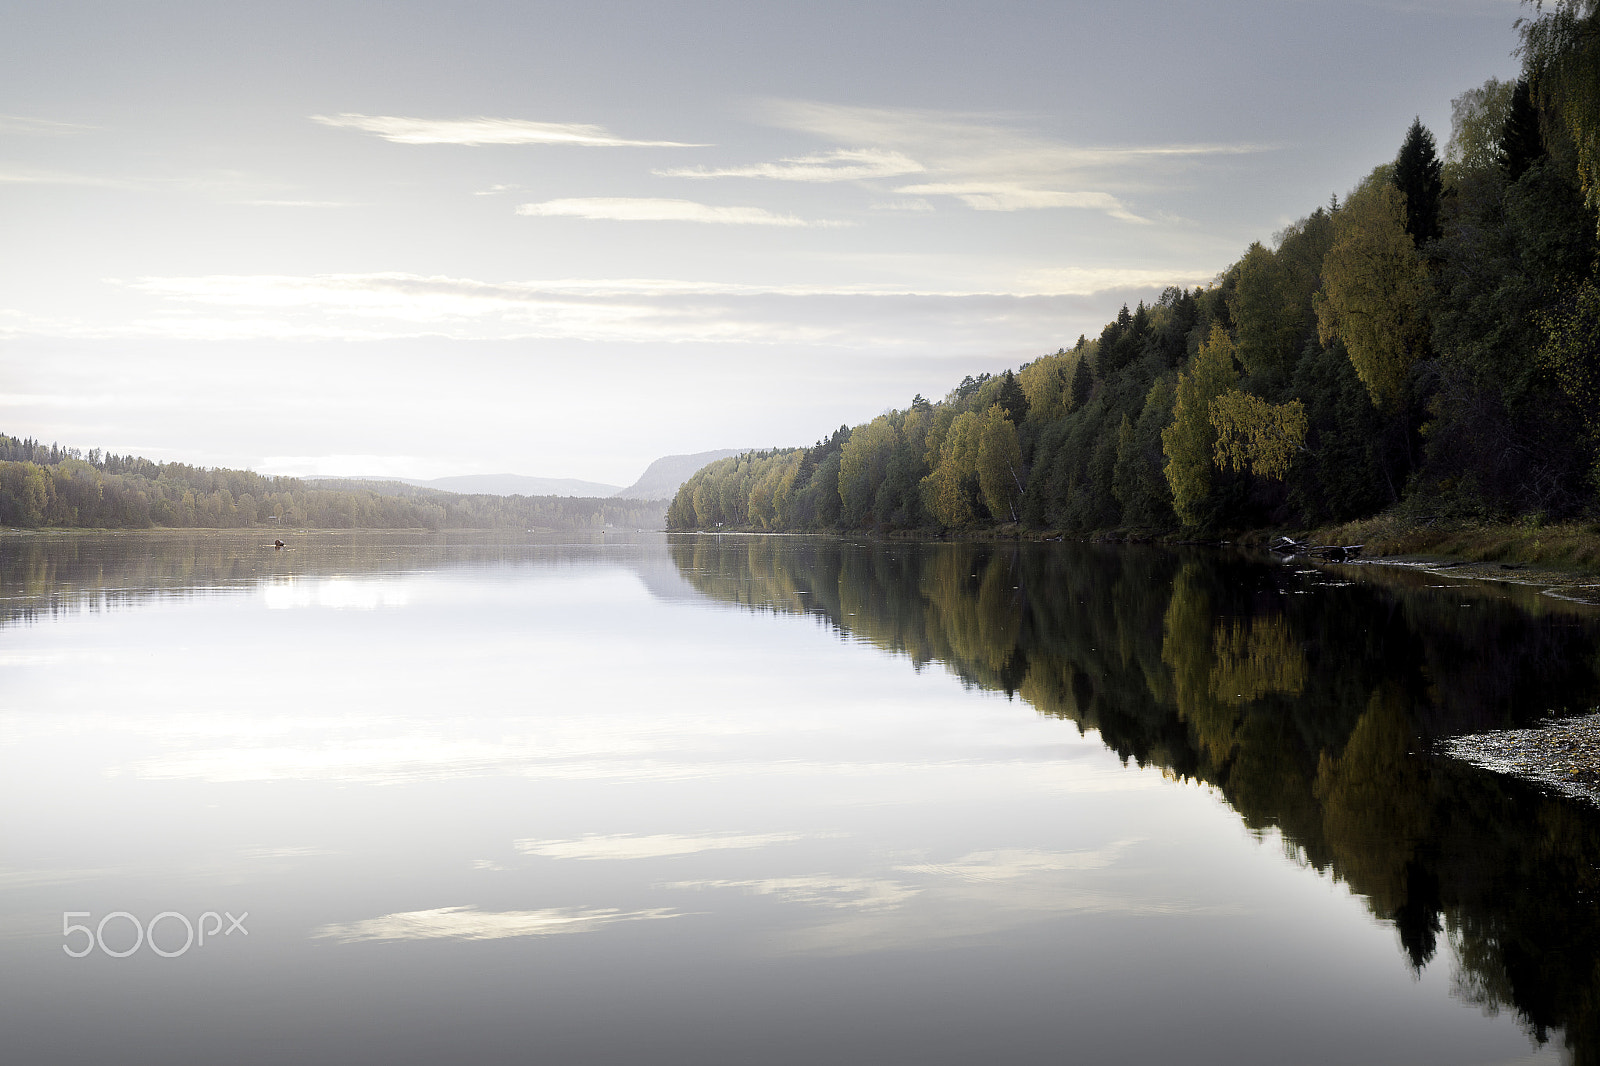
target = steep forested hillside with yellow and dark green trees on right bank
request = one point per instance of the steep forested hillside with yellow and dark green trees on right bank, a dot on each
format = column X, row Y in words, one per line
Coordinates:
column 1431, row 347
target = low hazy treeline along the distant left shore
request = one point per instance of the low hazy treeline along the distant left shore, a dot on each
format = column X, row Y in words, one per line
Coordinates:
column 70, row 489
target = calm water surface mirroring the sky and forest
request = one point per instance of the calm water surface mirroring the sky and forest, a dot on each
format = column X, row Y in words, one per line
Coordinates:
column 777, row 801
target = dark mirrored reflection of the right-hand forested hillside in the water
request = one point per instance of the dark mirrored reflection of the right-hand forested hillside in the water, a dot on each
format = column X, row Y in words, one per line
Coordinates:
column 1303, row 700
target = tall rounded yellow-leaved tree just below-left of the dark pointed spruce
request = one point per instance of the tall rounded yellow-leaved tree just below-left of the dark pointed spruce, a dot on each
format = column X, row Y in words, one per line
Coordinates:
column 1374, row 283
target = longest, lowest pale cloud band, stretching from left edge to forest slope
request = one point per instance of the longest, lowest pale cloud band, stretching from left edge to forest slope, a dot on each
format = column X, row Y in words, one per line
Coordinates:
column 970, row 308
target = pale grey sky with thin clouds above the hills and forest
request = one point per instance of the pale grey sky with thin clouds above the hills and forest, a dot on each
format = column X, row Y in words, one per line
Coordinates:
column 423, row 239
